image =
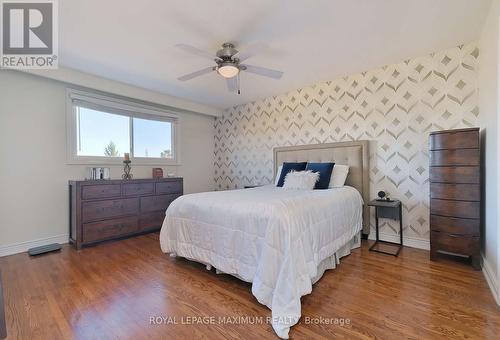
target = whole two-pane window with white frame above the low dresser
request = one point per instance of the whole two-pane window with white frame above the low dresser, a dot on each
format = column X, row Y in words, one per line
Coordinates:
column 101, row 130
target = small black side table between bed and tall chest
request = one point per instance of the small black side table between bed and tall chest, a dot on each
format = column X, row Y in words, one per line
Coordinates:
column 387, row 209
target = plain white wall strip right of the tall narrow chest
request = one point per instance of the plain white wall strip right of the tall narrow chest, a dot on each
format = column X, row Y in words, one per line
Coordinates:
column 488, row 103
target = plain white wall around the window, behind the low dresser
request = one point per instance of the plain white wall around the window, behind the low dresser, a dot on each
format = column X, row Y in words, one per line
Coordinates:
column 34, row 172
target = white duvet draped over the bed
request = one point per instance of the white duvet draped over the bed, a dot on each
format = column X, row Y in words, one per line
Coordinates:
column 275, row 238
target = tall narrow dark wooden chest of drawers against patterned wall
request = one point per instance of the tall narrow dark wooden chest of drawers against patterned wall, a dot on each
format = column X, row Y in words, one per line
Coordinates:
column 455, row 193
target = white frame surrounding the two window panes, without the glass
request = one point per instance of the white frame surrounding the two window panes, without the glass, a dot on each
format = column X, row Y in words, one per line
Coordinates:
column 121, row 107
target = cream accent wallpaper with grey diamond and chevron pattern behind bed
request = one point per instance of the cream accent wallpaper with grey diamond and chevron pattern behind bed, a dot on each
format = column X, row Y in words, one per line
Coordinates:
column 395, row 107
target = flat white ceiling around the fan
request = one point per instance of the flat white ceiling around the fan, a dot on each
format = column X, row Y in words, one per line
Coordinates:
column 310, row 40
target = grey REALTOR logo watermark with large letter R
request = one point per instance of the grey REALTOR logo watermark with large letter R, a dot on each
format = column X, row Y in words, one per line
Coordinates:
column 29, row 38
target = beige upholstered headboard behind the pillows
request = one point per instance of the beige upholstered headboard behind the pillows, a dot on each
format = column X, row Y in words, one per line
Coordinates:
column 355, row 154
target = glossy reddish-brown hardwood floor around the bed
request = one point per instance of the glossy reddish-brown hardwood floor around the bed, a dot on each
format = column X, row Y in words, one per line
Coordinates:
column 112, row 290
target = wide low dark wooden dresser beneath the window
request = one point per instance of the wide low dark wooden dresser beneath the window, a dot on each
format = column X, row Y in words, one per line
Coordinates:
column 109, row 209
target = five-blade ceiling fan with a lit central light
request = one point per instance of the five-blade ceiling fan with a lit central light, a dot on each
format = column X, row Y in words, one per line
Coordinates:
column 228, row 64
